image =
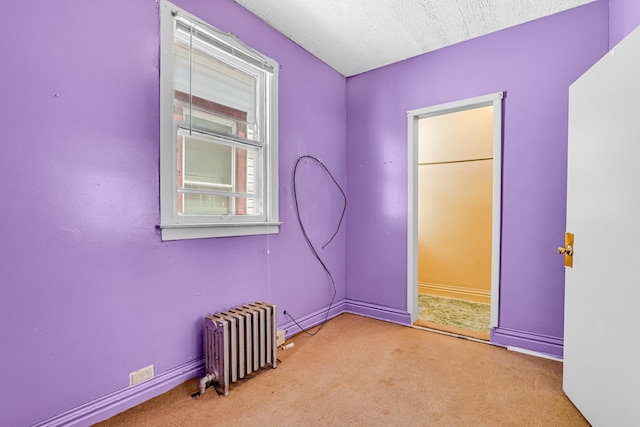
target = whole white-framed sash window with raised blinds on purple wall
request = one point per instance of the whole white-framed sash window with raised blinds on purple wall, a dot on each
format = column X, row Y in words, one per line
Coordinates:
column 218, row 132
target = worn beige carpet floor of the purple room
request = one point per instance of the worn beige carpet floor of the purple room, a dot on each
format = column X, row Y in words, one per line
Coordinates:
column 363, row 372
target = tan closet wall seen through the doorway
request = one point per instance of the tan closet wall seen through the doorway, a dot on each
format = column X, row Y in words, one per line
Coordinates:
column 454, row 204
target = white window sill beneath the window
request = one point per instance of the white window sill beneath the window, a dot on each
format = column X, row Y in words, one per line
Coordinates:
column 203, row 231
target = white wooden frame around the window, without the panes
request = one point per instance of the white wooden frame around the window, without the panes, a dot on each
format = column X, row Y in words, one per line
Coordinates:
column 175, row 226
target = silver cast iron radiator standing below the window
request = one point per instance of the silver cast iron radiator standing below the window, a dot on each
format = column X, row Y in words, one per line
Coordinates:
column 238, row 342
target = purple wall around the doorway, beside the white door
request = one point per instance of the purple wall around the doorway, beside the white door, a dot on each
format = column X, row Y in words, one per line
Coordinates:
column 534, row 63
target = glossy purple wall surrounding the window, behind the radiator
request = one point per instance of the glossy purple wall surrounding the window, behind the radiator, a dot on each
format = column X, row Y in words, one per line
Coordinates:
column 88, row 291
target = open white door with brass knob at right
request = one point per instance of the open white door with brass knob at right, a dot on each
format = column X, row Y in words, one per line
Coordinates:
column 602, row 297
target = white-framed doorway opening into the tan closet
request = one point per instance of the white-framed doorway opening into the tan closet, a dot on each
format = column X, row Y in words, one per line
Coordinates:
column 454, row 216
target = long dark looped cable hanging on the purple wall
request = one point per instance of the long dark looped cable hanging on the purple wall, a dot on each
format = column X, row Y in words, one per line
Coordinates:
column 308, row 240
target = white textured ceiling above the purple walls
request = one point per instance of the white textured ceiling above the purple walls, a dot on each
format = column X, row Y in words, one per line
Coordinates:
column 354, row 36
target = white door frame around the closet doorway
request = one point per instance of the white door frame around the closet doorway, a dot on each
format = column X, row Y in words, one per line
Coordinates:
column 494, row 99
